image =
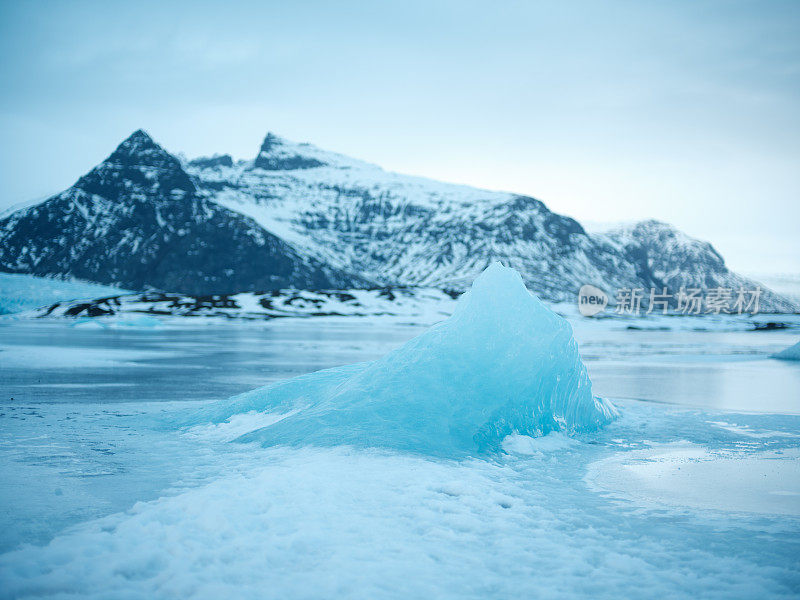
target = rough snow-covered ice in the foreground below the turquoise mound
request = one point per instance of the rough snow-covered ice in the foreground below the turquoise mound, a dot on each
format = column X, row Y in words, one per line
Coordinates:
column 345, row 523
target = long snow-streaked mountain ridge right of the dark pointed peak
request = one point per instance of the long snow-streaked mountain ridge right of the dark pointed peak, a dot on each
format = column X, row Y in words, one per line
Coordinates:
column 398, row 229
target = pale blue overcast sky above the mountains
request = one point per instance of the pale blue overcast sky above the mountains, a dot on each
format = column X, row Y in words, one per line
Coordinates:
column 688, row 112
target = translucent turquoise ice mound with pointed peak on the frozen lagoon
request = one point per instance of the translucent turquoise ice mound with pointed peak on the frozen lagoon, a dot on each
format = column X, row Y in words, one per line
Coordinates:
column 502, row 364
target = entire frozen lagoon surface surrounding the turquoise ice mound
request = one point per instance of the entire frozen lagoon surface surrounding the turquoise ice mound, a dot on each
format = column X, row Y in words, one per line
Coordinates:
column 125, row 503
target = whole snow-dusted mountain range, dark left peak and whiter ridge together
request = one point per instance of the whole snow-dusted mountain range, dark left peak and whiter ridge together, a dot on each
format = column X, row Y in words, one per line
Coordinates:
column 298, row 216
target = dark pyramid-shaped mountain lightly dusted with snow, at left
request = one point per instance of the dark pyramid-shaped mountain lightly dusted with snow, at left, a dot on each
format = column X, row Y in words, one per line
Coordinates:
column 138, row 221
